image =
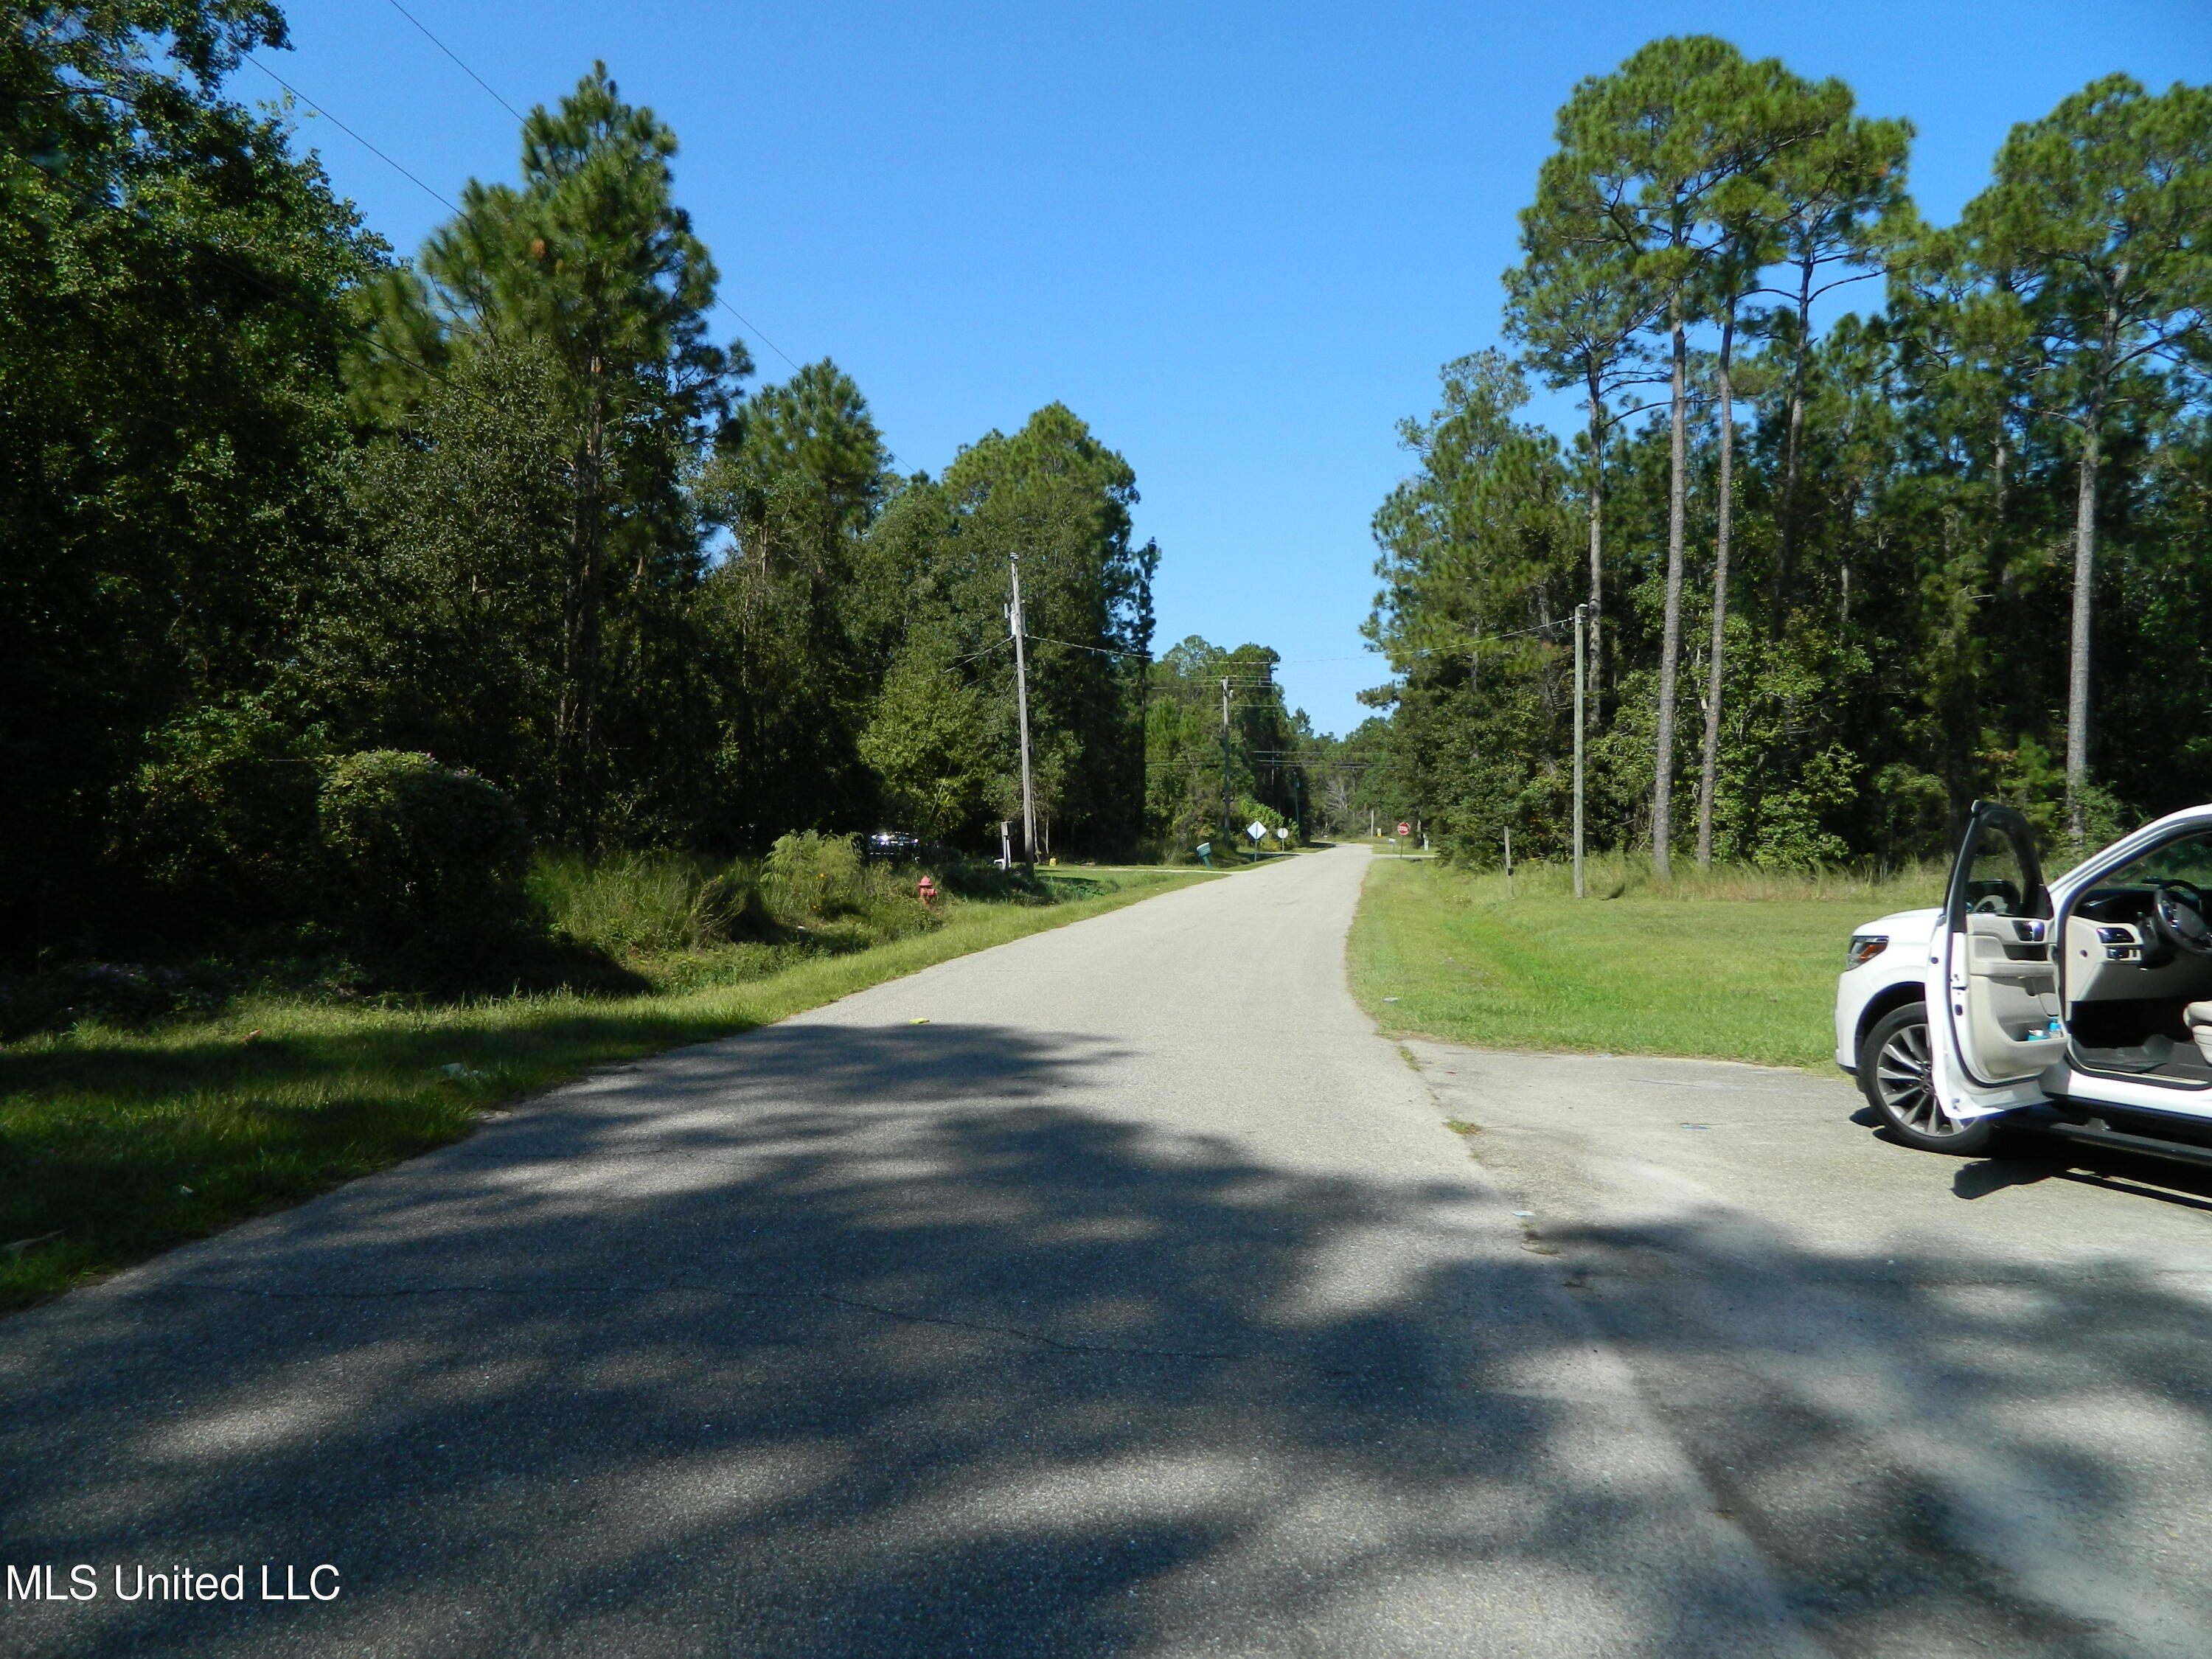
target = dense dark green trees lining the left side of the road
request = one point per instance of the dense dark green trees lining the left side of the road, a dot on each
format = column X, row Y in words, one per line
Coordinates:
column 494, row 541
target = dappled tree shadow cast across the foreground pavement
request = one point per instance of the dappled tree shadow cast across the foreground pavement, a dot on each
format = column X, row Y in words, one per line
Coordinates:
column 886, row 1342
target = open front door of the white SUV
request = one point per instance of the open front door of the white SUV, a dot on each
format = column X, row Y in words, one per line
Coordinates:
column 1999, row 1025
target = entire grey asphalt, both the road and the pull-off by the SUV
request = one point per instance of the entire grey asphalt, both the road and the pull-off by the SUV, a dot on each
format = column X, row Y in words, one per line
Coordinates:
column 1142, row 1304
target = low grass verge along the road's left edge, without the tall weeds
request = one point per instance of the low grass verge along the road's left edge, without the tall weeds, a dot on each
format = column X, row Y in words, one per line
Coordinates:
column 116, row 1145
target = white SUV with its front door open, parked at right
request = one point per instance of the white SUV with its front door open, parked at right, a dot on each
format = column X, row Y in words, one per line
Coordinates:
column 2080, row 1005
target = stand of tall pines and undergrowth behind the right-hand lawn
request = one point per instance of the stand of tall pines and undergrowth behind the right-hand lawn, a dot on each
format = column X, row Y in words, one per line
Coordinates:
column 1839, row 581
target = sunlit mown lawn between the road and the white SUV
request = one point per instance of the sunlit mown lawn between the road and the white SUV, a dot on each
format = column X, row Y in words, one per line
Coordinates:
column 1724, row 966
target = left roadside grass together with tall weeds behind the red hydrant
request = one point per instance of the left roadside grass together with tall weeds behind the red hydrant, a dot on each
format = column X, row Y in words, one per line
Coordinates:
column 123, row 1140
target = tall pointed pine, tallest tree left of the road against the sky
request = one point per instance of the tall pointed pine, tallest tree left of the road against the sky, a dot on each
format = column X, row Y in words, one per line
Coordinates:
column 592, row 260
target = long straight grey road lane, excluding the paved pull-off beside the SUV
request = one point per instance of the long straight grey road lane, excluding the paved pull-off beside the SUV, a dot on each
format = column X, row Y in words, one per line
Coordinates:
column 1138, row 1304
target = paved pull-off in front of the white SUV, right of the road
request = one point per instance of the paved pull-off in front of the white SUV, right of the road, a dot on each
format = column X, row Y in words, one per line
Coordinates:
column 1961, row 1408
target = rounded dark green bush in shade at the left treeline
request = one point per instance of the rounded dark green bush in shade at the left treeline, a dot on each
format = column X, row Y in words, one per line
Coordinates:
column 424, row 857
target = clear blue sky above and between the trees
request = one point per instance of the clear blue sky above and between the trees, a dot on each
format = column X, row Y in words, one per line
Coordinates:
column 1235, row 238
